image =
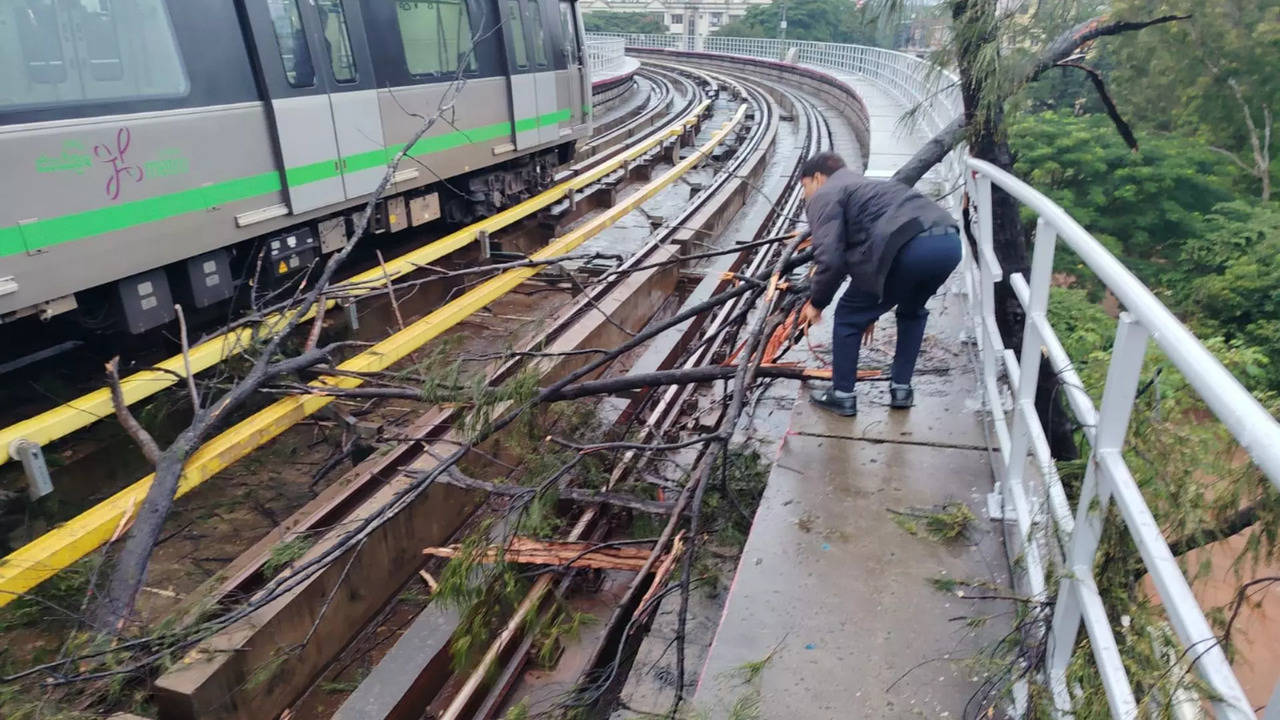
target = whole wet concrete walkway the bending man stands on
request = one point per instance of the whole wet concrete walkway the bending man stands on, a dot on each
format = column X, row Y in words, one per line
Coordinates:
column 833, row 590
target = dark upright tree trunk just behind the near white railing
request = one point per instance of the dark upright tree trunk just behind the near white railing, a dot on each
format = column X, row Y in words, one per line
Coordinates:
column 976, row 22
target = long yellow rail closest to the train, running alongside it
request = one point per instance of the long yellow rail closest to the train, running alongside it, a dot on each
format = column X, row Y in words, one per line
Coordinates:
column 90, row 408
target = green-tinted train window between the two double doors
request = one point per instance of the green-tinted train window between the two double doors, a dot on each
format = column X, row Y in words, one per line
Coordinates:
column 437, row 37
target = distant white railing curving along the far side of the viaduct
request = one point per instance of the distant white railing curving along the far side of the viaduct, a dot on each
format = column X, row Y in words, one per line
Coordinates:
column 916, row 84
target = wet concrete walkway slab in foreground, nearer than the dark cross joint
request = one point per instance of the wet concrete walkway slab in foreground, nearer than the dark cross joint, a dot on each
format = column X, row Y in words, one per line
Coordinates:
column 840, row 595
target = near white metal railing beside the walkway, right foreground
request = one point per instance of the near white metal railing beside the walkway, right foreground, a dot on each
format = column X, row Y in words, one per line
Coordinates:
column 1041, row 511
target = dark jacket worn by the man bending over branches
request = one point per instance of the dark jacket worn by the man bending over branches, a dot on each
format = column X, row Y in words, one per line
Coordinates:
column 858, row 227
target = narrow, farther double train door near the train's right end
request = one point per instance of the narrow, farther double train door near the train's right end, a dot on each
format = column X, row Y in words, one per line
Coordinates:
column 534, row 101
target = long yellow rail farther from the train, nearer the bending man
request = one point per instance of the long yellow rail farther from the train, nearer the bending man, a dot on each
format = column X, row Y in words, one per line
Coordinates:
column 29, row 566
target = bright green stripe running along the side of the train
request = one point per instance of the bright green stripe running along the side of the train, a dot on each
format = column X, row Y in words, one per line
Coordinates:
column 16, row 240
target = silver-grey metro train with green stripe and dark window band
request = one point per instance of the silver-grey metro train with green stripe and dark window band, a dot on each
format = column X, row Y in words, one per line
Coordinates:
column 162, row 152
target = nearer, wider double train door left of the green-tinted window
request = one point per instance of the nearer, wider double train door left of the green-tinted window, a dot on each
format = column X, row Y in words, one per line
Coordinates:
column 319, row 79
